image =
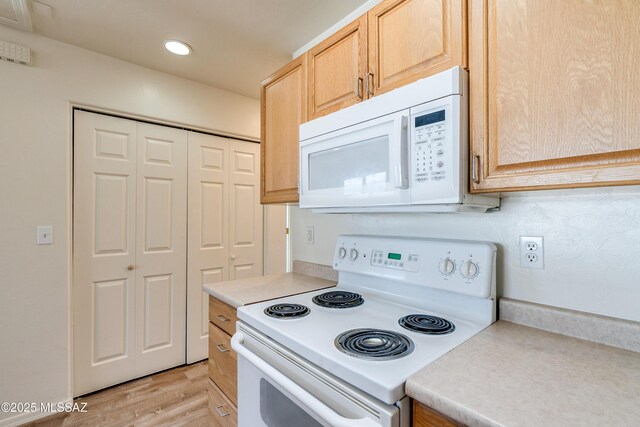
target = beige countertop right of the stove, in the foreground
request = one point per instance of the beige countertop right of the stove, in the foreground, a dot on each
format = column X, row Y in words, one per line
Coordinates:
column 513, row 375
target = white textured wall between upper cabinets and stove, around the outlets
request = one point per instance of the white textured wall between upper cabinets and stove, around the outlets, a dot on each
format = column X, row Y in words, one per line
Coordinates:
column 591, row 243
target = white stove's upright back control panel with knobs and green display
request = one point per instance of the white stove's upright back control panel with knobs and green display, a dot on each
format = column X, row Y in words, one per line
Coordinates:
column 464, row 267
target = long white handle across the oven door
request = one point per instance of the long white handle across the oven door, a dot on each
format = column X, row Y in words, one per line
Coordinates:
column 319, row 408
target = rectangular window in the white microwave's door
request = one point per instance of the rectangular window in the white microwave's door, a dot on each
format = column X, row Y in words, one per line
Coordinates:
column 361, row 167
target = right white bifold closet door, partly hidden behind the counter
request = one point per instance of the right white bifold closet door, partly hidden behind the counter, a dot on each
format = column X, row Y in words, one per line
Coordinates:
column 225, row 224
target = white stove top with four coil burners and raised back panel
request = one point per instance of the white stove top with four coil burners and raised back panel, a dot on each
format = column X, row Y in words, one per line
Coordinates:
column 324, row 335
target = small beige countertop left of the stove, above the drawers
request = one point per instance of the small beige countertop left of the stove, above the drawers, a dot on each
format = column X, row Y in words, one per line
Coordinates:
column 241, row 292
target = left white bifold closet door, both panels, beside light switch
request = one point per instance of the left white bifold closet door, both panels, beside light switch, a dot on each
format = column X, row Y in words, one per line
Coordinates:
column 130, row 225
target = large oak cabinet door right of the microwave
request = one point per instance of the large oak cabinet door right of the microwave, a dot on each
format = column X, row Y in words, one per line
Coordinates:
column 554, row 89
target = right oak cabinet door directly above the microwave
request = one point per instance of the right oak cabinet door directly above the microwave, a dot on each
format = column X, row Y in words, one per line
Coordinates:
column 412, row 39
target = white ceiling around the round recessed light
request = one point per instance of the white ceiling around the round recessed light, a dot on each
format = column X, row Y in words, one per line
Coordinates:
column 236, row 43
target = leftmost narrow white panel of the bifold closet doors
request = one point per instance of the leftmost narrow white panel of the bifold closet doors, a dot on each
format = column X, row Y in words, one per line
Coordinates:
column 104, row 246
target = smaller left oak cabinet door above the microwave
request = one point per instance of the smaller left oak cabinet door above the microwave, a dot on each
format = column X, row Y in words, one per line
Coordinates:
column 337, row 68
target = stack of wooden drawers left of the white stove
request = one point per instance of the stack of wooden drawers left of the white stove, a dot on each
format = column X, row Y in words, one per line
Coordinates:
column 223, row 364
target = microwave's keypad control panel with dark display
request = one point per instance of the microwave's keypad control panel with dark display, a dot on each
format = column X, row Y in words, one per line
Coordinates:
column 430, row 159
